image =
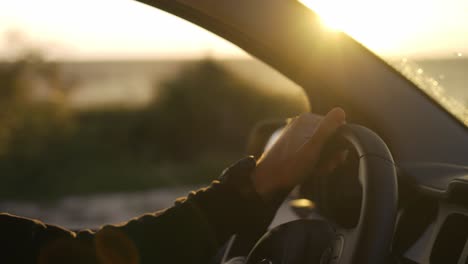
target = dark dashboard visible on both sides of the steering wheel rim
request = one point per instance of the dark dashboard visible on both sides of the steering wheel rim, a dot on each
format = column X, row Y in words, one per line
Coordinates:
column 432, row 223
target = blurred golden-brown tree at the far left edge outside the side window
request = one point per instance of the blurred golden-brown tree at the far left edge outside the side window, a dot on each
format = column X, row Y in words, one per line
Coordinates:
column 33, row 106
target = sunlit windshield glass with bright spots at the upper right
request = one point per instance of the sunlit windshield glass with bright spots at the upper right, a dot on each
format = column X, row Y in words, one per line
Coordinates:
column 426, row 40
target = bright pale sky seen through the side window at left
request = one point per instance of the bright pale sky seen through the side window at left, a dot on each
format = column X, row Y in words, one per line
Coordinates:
column 90, row 29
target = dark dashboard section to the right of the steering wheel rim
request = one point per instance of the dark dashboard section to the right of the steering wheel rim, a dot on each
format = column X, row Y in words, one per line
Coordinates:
column 433, row 219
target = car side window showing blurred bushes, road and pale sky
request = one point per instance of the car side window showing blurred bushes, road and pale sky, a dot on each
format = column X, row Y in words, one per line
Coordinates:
column 109, row 109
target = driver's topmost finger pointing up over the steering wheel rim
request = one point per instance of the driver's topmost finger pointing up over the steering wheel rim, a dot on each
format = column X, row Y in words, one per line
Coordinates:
column 327, row 126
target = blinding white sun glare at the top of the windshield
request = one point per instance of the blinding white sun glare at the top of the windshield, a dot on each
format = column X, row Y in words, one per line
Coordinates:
column 382, row 26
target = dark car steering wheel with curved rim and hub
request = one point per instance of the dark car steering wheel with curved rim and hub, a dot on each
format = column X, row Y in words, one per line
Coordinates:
column 326, row 241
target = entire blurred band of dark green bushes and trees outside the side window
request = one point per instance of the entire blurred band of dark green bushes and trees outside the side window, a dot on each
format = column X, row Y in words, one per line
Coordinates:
column 197, row 125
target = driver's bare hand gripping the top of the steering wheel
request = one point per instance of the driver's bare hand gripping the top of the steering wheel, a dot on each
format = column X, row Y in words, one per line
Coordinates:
column 295, row 154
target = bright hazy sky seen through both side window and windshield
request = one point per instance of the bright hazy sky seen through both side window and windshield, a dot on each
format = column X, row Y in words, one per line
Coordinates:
column 122, row 29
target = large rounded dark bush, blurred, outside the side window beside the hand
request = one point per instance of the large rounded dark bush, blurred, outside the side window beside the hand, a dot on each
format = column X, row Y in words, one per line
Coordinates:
column 206, row 108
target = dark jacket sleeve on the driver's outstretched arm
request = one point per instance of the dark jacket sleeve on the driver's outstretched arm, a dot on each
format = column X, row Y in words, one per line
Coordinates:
column 189, row 232
